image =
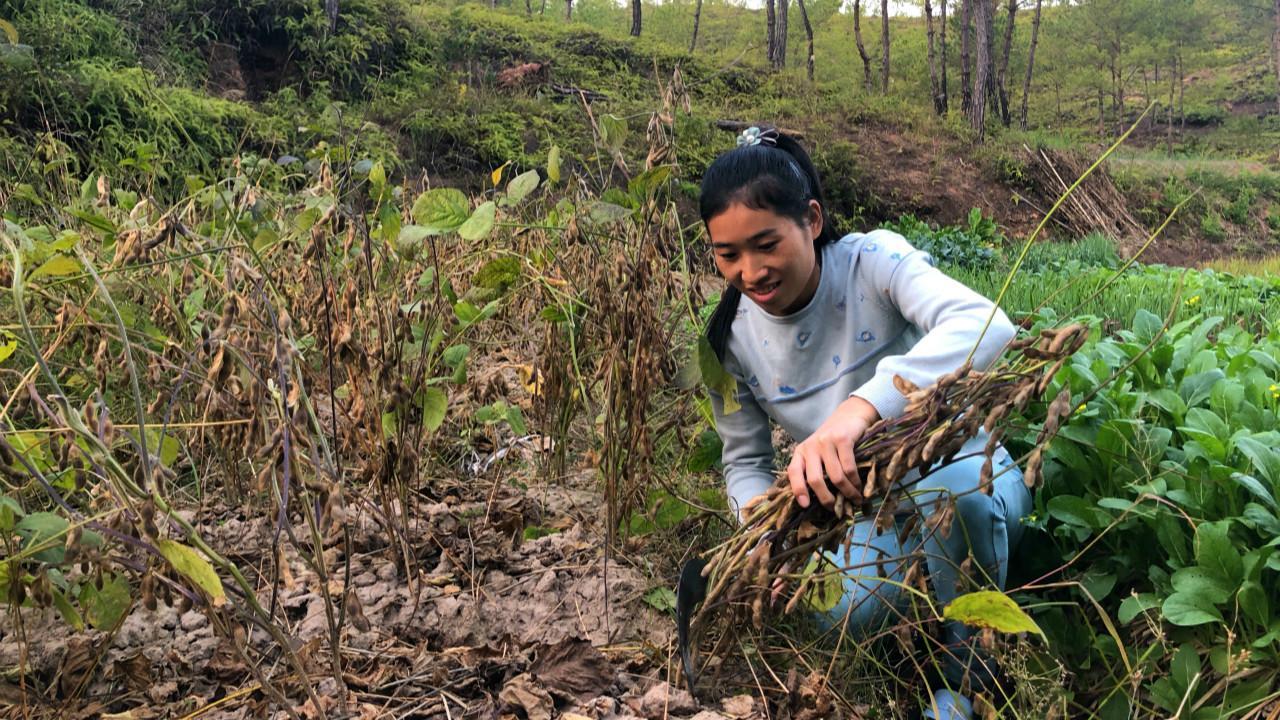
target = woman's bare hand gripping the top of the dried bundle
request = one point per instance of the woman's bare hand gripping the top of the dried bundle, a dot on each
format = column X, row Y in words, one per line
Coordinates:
column 829, row 453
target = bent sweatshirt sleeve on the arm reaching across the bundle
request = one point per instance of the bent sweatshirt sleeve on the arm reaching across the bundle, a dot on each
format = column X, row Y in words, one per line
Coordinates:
column 949, row 313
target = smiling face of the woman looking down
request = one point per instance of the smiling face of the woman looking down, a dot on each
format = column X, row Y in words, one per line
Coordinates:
column 767, row 257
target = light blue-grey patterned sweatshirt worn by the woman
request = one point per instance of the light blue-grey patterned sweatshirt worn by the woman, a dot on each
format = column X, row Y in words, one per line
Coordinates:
column 881, row 309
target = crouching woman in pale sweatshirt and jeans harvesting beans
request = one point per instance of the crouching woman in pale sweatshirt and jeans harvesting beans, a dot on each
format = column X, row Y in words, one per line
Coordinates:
column 815, row 327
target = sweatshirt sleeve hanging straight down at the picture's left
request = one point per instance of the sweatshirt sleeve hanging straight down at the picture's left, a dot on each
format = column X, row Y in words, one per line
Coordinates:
column 748, row 454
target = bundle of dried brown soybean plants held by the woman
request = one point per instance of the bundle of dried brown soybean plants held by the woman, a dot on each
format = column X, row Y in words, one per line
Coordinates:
column 778, row 534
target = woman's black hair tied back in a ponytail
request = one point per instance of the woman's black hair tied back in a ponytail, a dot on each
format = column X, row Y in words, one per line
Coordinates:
column 776, row 176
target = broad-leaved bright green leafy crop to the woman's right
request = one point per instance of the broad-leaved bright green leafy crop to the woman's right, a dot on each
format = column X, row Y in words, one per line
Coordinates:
column 1173, row 472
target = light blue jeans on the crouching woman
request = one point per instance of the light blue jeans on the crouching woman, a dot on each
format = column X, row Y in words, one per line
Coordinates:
column 989, row 527
